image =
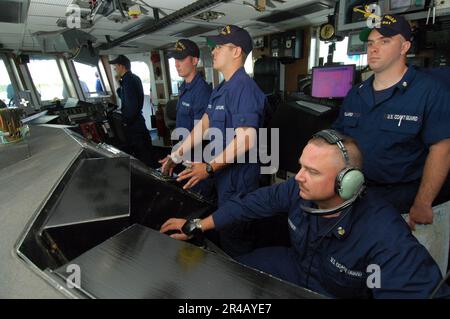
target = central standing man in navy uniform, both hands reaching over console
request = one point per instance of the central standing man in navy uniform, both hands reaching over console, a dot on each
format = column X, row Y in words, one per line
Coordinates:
column 237, row 104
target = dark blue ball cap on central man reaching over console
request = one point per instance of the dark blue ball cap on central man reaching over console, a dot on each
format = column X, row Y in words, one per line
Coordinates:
column 232, row 34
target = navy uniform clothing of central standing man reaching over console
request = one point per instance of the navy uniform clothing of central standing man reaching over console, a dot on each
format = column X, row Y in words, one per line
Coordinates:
column 235, row 103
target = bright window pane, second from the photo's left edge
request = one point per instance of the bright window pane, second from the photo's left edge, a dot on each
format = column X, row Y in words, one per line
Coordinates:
column 47, row 78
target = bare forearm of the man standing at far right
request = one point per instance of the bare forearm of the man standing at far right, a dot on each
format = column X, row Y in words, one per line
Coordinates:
column 435, row 172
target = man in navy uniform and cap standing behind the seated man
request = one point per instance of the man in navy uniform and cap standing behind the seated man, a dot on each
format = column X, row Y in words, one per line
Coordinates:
column 400, row 118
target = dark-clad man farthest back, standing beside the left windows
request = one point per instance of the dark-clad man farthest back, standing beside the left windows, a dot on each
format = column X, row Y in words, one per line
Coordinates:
column 131, row 95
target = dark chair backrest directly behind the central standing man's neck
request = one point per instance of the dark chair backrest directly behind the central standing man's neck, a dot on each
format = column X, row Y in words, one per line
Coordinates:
column 266, row 74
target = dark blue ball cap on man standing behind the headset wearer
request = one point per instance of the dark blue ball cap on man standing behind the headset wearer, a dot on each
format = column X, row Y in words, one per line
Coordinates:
column 390, row 25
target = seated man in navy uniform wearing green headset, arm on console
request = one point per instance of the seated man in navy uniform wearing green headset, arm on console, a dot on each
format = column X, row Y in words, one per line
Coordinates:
column 344, row 244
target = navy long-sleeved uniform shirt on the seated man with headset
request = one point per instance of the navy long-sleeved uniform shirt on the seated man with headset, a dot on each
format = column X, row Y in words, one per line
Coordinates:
column 334, row 260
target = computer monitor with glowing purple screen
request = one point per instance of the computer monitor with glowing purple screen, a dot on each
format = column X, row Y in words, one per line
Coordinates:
column 332, row 81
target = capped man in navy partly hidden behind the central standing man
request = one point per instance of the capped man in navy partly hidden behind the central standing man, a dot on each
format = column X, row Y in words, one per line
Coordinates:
column 194, row 93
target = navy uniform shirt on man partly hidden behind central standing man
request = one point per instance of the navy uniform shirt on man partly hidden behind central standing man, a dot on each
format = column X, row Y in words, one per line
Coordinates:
column 192, row 102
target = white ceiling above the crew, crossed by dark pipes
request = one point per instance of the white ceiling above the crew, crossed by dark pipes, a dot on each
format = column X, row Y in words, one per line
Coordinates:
column 43, row 14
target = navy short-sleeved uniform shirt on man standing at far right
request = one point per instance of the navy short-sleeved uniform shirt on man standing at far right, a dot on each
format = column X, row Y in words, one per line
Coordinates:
column 394, row 135
